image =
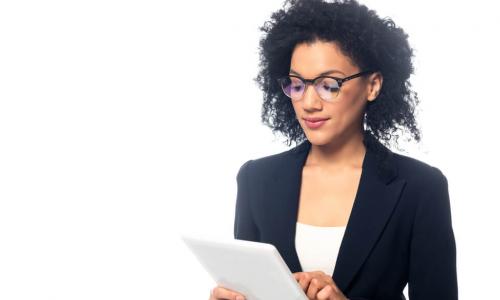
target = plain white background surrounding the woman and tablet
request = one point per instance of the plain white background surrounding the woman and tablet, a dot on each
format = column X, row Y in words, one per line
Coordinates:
column 111, row 146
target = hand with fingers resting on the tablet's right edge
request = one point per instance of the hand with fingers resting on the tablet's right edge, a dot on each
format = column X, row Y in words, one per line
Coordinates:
column 319, row 286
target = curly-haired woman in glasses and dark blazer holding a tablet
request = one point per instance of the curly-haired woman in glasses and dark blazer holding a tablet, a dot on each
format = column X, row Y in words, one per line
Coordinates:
column 351, row 219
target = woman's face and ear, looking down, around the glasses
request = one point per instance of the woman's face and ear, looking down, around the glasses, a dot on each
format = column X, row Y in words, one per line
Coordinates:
column 344, row 116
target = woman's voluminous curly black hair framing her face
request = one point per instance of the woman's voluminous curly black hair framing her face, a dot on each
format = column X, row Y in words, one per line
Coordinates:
column 370, row 41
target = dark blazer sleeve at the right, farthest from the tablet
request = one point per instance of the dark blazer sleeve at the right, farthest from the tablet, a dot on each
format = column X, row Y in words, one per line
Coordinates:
column 432, row 266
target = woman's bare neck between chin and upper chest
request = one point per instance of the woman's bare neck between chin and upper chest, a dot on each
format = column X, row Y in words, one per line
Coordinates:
column 344, row 152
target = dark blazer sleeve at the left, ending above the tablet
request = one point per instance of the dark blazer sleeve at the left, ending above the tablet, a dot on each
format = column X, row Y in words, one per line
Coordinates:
column 244, row 224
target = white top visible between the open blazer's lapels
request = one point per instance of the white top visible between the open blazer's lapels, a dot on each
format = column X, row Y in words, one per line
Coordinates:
column 318, row 246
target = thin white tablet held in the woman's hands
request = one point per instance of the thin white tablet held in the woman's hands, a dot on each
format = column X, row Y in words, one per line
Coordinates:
column 254, row 269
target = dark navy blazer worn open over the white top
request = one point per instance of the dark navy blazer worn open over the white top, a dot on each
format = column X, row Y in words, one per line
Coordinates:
column 399, row 230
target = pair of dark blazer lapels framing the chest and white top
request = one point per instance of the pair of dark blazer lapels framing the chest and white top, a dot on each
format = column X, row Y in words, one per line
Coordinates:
column 378, row 192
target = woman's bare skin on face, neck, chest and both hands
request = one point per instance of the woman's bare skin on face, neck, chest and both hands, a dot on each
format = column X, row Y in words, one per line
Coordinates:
column 331, row 174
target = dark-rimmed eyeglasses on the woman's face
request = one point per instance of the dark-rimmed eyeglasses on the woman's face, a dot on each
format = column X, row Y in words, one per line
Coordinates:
column 327, row 87
